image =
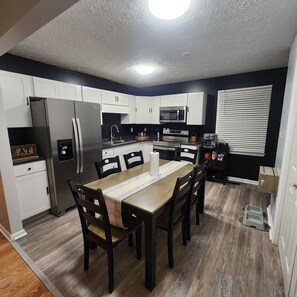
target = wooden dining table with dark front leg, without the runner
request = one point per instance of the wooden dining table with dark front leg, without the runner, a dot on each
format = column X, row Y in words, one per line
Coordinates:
column 147, row 204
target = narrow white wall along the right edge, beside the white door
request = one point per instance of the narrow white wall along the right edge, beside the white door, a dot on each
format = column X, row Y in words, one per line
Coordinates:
column 285, row 138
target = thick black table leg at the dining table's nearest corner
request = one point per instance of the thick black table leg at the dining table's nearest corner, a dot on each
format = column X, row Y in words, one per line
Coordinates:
column 150, row 253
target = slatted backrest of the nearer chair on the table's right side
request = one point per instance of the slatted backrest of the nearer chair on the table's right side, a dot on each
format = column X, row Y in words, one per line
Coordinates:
column 181, row 195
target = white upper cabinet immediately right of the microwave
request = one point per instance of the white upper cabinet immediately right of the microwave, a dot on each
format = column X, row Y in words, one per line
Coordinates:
column 196, row 108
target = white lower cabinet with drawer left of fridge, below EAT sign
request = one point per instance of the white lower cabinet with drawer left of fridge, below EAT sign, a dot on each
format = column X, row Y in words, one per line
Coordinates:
column 32, row 188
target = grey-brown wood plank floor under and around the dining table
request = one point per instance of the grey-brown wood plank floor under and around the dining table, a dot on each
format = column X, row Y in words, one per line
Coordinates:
column 224, row 258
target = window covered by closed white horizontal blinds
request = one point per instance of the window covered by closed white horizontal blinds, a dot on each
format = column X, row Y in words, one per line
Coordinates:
column 242, row 119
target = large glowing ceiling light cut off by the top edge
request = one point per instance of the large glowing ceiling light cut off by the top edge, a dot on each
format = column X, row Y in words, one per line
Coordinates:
column 168, row 9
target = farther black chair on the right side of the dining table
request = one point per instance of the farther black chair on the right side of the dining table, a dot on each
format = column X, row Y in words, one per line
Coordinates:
column 197, row 195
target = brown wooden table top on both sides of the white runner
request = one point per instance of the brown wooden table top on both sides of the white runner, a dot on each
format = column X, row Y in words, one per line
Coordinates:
column 150, row 198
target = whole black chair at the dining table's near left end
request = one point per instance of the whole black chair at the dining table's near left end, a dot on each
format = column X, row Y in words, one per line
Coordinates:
column 96, row 228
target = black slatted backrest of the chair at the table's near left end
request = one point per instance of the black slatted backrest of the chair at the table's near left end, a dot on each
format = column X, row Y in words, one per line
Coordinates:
column 92, row 211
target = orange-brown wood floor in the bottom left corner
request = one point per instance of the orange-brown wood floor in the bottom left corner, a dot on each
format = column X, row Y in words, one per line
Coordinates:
column 16, row 277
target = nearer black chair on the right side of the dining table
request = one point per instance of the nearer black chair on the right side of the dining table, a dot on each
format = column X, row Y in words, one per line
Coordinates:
column 176, row 212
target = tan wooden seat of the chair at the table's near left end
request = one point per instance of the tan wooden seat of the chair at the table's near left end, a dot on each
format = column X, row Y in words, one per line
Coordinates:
column 117, row 234
